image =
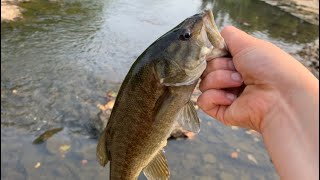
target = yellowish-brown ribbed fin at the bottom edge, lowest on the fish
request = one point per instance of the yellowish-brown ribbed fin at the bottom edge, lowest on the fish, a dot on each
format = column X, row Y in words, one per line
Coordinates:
column 157, row 169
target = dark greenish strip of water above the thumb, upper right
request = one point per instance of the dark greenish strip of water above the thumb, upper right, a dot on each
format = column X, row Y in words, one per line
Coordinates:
column 252, row 15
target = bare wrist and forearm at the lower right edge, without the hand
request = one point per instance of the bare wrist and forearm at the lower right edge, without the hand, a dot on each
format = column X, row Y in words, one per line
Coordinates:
column 291, row 134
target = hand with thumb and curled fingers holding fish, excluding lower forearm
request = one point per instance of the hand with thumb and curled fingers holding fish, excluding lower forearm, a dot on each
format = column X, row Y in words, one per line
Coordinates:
column 246, row 89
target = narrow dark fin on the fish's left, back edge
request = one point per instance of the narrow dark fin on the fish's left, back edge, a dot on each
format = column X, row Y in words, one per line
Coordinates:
column 102, row 151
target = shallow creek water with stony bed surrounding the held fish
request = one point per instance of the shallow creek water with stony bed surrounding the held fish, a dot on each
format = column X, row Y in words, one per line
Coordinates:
column 58, row 62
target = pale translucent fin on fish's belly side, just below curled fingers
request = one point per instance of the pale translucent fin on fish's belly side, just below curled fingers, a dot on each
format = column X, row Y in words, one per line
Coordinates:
column 188, row 118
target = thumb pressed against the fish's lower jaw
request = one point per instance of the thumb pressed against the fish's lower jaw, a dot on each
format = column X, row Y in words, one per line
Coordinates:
column 236, row 39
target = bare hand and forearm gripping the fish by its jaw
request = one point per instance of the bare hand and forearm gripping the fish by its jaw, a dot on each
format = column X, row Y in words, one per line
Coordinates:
column 263, row 88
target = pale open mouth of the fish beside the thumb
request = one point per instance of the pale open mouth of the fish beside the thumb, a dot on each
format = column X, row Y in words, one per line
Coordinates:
column 215, row 45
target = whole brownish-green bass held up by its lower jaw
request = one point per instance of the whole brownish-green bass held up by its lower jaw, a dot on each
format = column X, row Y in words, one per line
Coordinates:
column 155, row 95
